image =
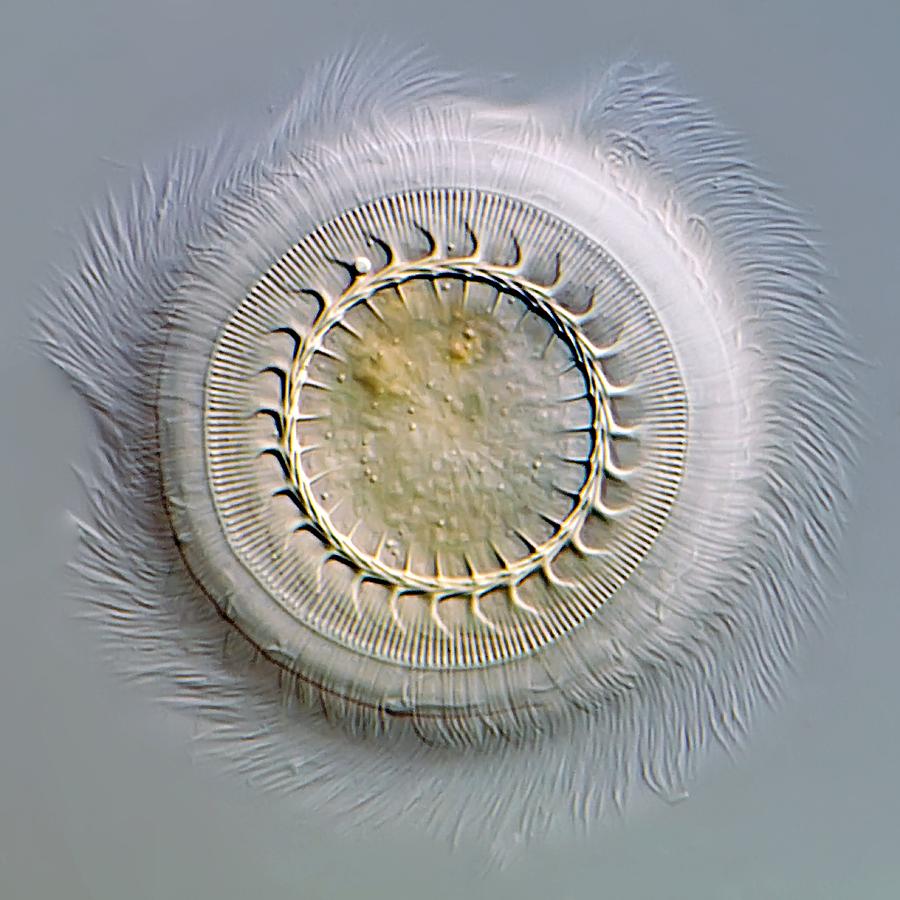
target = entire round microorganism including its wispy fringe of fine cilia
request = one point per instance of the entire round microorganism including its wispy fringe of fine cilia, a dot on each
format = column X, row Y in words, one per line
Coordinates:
column 471, row 461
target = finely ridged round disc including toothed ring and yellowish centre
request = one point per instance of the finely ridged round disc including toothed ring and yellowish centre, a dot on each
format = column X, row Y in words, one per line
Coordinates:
column 440, row 432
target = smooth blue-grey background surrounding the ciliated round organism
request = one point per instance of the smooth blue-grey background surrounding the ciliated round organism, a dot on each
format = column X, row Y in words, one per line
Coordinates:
column 96, row 798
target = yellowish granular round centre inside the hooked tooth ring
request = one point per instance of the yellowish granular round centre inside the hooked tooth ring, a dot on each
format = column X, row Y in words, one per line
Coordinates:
column 449, row 426
